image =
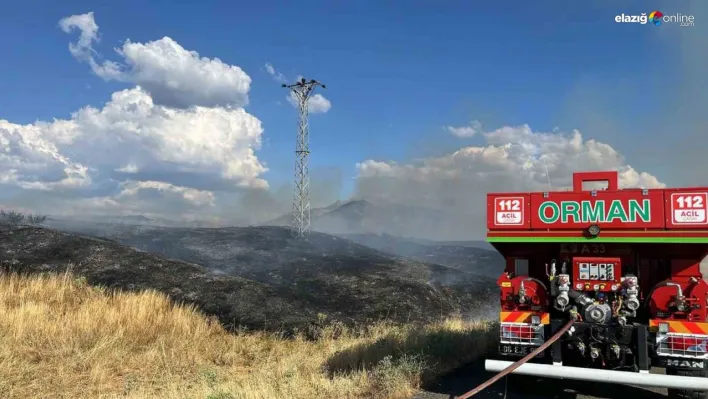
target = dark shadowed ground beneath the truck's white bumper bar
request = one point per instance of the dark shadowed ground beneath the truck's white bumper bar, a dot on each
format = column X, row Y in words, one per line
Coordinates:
column 518, row 387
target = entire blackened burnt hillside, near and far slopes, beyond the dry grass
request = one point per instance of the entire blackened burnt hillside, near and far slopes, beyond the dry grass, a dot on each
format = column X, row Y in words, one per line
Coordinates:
column 259, row 277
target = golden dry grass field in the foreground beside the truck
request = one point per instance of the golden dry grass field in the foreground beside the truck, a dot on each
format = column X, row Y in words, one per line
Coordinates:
column 64, row 339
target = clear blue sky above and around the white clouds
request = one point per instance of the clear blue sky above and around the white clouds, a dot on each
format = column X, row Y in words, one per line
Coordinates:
column 395, row 75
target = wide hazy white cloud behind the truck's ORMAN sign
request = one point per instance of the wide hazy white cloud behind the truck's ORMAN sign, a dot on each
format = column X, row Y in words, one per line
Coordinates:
column 515, row 158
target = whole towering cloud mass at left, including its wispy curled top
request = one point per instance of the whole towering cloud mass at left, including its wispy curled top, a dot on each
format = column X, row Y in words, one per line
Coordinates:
column 178, row 144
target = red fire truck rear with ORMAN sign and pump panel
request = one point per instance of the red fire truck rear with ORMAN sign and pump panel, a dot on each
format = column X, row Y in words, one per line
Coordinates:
column 627, row 265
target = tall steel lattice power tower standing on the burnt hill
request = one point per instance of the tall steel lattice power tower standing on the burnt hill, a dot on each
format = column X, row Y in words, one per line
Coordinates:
column 302, row 91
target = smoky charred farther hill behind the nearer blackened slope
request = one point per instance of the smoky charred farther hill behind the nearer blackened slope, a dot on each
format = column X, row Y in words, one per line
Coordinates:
column 270, row 255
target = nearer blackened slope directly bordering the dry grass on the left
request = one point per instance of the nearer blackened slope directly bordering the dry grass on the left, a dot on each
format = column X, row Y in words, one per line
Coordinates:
column 102, row 262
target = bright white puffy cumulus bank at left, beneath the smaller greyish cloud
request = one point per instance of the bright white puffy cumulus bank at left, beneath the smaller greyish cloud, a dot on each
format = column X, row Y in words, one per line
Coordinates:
column 131, row 134
